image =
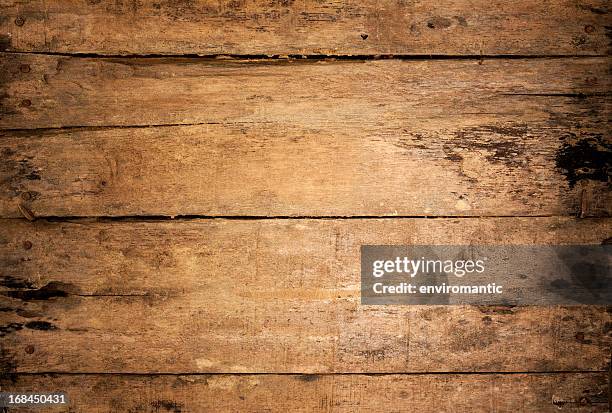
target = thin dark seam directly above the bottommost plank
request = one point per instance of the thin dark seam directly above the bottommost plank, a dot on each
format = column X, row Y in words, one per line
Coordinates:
column 440, row 373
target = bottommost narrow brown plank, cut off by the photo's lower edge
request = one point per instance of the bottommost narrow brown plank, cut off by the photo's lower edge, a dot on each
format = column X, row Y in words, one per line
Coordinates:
column 339, row 393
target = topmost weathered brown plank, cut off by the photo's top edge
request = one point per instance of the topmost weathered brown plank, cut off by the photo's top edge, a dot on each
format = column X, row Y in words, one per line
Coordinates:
column 307, row 27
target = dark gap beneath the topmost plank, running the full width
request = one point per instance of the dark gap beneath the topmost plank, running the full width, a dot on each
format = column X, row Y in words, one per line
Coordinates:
column 312, row 57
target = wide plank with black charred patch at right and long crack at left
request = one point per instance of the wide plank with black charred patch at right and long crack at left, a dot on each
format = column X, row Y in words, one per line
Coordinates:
column 306, row 139
